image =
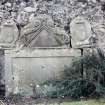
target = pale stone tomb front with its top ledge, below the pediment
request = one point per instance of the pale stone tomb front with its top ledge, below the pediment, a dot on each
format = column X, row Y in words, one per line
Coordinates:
column 34, row 67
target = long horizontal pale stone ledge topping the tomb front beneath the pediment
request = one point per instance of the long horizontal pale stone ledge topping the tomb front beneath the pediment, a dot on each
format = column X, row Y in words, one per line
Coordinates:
column 35, row 53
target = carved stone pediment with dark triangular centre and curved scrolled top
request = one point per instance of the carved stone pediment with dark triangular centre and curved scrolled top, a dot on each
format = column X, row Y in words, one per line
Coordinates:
column 41, row 32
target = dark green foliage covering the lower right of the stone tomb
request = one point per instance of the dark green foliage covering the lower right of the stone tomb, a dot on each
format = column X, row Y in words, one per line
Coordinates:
column 75, row 84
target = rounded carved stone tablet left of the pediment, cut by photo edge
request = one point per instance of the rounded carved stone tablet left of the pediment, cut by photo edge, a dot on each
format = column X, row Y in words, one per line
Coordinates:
column 8, row 33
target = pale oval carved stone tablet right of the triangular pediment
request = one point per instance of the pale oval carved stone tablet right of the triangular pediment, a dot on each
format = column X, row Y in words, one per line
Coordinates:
column 80, row 32
